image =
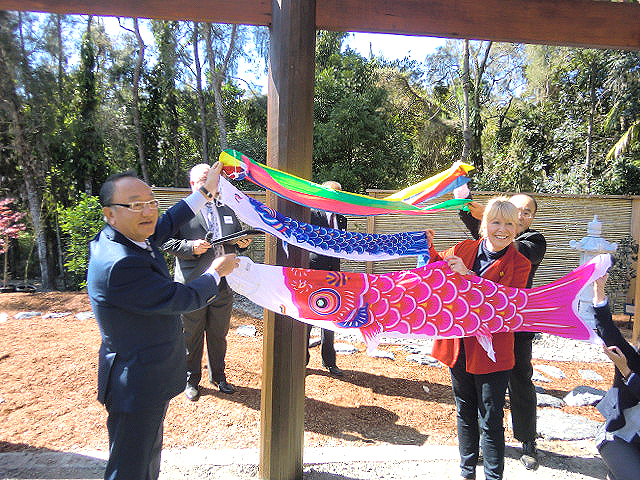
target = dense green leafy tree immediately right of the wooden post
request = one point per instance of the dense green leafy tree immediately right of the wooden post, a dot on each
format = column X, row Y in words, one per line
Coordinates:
column 355, row 139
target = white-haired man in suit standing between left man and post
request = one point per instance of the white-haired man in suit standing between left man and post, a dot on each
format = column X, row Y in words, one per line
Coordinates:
column 193, row 255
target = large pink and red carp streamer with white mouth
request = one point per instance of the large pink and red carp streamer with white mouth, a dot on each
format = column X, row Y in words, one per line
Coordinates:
column 431, row 301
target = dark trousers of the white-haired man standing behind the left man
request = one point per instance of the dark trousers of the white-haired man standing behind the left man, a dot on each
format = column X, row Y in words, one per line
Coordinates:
column 213, row 321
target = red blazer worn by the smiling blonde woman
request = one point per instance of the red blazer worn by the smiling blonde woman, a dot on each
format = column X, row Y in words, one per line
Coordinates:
column 512, row 270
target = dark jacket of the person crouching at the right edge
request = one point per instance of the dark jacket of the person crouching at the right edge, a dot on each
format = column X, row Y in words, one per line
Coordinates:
column 621, row 395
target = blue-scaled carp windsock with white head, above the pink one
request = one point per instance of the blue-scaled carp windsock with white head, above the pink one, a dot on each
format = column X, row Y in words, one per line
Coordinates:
column 322, row 240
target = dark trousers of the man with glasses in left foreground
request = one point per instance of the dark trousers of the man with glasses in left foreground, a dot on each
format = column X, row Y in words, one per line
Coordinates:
column 135, row 444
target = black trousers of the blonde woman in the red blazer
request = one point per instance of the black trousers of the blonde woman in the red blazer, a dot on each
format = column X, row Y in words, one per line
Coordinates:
column 479, row 407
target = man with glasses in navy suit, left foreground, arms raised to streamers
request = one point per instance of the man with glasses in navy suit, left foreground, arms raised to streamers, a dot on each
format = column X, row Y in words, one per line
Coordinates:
column 137, row 306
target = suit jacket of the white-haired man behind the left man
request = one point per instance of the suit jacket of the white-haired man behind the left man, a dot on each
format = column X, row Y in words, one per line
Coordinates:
column 188, row 265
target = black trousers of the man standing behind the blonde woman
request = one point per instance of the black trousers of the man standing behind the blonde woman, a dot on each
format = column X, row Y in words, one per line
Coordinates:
column 522, row 392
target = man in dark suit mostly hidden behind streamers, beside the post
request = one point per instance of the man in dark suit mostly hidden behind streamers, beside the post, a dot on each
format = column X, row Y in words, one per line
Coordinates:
column 323, row 262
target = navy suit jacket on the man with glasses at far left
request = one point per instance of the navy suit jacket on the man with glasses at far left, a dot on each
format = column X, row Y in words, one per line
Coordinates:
column 137, row 306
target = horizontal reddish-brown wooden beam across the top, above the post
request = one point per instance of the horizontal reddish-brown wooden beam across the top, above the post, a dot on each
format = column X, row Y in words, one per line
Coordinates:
column 585, row 23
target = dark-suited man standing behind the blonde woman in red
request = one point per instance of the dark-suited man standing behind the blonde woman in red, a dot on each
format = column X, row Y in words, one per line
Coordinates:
column 522, row 393
